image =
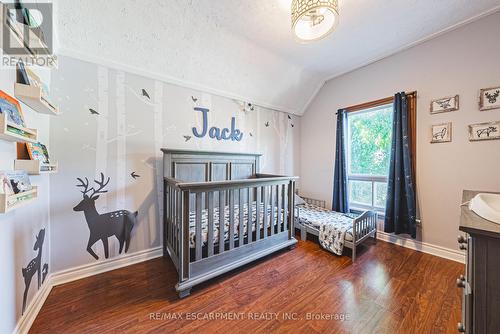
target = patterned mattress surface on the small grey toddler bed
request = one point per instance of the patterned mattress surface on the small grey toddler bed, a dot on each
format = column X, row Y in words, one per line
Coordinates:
column 315, row 216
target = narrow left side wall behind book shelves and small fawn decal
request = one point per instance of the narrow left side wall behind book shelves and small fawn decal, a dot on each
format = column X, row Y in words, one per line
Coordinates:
column 20, row 227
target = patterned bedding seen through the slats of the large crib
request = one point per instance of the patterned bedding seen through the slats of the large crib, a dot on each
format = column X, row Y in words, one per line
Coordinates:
column 204, row 222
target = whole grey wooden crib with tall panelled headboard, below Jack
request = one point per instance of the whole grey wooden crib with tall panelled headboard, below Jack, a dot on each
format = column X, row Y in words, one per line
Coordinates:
column 220, row 213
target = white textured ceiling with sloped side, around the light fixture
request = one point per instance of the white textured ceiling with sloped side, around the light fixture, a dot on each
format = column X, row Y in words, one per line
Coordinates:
column 244, row 49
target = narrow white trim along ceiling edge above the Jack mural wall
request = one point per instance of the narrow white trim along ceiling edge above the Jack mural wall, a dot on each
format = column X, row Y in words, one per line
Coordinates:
column 178, row 82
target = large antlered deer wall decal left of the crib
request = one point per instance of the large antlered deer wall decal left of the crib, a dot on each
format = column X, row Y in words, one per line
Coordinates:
column 102, row 226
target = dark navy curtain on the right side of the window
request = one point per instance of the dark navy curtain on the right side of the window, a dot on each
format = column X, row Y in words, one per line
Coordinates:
column 400, row 213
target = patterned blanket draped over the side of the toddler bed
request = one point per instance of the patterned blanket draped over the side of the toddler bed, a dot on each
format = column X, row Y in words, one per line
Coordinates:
column 333, row 226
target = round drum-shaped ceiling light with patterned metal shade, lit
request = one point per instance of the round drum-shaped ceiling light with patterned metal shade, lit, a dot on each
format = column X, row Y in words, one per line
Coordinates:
column 314, row 19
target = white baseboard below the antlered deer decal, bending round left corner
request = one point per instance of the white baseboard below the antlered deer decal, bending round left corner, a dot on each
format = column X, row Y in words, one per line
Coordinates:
column 76, row 273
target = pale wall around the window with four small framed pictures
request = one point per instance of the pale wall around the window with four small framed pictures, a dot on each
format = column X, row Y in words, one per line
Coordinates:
column 460, row 62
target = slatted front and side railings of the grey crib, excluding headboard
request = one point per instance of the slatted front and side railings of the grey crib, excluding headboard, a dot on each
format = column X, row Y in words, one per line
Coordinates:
column 196, row 200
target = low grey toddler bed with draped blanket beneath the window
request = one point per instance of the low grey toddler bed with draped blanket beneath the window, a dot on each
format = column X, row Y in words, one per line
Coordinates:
column 335, row 230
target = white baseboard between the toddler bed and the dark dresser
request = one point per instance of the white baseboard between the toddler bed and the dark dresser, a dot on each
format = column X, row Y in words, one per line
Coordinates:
column 424, row 247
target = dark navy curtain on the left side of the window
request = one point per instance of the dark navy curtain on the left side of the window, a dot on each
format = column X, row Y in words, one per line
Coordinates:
column 340, row 203
